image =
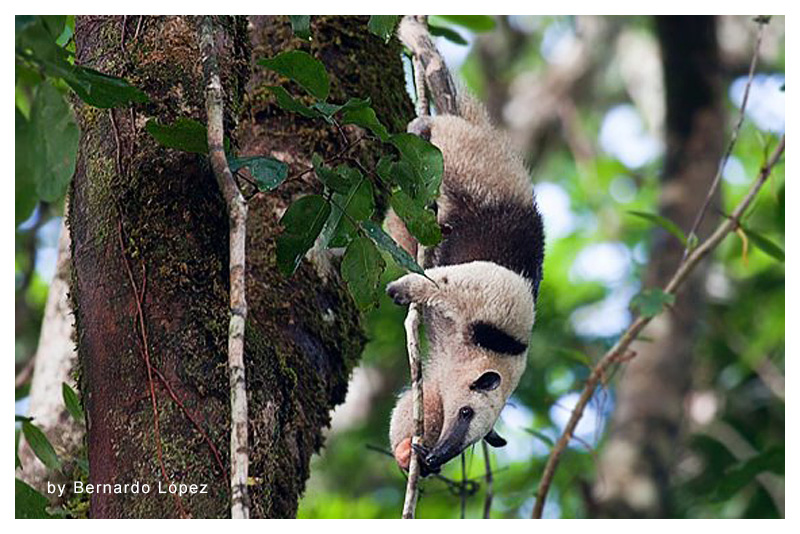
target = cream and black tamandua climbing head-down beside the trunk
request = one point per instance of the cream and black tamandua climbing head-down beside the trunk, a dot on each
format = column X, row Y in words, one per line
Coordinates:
column 480, row 308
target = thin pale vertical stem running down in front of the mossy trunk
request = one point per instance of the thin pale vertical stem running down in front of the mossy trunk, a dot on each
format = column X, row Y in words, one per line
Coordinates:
column 237, row 214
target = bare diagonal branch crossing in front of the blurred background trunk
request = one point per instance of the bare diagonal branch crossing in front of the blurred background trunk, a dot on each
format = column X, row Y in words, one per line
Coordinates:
column 620, row 349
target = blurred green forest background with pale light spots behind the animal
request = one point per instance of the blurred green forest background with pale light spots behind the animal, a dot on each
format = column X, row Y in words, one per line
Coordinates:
column 584, row 97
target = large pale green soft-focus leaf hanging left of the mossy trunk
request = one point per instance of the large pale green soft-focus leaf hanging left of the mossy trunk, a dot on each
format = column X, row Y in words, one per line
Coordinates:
column 54, row 139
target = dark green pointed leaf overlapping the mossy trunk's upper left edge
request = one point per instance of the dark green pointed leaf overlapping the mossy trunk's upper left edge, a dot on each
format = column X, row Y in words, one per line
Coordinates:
column 101, row 90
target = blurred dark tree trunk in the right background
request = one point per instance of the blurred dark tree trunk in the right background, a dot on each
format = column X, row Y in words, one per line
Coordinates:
column 634, row 469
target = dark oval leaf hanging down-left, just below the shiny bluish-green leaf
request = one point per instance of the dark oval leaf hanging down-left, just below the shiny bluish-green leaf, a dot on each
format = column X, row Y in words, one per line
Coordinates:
column 302, row 223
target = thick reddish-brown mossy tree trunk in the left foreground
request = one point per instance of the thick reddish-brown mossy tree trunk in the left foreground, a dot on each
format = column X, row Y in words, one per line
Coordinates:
column 150, row 276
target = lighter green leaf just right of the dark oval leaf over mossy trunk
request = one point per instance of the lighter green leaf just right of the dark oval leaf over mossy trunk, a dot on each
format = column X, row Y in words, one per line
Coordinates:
column 358, row 203
